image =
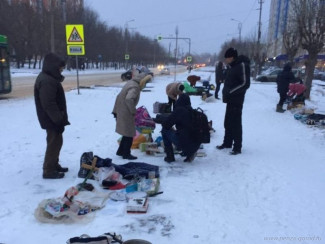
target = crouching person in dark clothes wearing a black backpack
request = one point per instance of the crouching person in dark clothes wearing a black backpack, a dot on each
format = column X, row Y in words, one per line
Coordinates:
column 182, row 137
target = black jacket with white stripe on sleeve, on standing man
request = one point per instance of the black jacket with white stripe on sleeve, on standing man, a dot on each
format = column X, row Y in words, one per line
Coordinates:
column 237, row 81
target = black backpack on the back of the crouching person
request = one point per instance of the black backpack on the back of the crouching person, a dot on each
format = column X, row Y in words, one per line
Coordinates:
column 200, row 126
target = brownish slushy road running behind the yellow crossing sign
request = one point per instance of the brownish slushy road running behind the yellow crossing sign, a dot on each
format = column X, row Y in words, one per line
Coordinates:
column 23, row 87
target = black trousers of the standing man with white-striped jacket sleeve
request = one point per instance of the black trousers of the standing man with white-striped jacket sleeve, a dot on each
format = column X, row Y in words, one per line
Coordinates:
column 233, row 126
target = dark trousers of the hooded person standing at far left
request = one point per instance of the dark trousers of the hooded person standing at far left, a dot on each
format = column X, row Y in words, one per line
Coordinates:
column 54, row 142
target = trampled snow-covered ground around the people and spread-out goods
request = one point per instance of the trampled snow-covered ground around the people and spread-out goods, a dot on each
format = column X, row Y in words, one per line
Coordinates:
column 271, row 193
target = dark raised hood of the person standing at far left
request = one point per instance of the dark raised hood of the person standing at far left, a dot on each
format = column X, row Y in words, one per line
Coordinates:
column 52, row 64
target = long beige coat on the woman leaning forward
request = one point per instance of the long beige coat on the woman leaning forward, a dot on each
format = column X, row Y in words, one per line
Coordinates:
column 125, row 108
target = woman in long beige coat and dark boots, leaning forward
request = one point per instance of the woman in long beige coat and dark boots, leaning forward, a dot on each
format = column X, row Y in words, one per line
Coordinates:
column 124, row 111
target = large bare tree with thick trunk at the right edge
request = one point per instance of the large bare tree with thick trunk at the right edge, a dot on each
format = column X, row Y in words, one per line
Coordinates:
column 310, row 19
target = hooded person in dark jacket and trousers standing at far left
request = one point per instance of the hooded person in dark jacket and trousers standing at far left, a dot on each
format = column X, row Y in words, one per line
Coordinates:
column 52, row 113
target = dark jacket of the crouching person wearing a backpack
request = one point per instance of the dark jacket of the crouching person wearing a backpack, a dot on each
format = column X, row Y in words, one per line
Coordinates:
column 181, row 118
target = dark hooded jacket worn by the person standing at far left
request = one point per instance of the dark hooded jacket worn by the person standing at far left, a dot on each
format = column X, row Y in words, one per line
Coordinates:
column 49, row 95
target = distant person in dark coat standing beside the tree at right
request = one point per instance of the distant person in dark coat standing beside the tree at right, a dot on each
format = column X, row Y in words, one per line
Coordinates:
column 284, row 78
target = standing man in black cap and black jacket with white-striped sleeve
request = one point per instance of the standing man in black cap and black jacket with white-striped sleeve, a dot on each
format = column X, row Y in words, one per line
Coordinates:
column 237, row 81
